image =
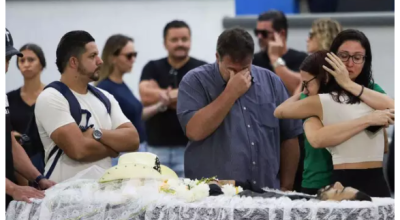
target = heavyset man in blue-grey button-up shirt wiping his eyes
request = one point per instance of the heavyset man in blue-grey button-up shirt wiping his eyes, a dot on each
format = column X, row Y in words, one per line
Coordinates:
column 227, row 111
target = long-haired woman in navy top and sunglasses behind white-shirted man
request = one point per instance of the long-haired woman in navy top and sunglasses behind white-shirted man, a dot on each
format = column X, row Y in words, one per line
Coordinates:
column 118, row 56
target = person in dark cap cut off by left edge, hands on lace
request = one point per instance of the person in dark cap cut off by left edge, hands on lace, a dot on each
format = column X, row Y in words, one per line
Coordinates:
column 16, row 157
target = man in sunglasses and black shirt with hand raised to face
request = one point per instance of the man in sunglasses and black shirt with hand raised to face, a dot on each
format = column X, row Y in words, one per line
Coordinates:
column 272, row 32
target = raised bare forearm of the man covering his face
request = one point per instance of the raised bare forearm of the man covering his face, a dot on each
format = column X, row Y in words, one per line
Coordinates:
column 207, row 119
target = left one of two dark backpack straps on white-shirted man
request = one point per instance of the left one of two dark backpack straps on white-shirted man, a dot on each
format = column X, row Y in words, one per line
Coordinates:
column 75, row 109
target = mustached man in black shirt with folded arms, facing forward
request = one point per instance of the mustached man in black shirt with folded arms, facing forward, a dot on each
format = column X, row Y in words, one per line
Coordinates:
column 161, row 78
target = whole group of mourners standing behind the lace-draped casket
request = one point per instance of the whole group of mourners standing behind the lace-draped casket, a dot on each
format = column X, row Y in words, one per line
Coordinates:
column 279, row 118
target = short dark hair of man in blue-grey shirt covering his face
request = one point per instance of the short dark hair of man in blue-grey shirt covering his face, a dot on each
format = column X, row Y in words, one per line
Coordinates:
column 236, row 43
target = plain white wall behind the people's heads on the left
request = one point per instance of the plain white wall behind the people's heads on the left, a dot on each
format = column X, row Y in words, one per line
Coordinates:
column 44, row 23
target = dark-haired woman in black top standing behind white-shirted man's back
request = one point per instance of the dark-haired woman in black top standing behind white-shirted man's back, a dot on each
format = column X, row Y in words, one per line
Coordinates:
column 22, row 100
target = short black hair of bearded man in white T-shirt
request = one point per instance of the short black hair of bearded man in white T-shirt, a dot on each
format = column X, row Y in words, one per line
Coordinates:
column 72, row 44
